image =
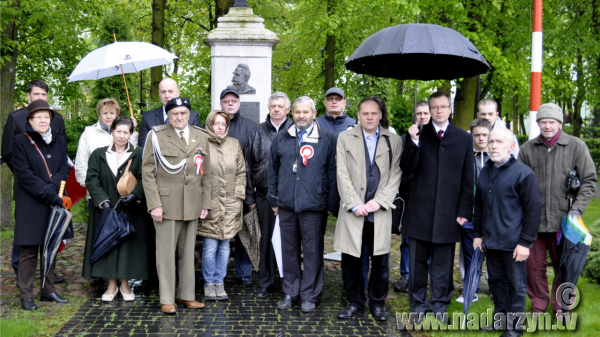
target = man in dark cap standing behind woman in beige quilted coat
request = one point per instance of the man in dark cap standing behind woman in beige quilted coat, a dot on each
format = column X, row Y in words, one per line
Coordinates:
column 239, row 128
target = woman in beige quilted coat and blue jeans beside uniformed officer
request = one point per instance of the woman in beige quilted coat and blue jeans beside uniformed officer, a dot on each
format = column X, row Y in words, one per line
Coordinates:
column 228, row 177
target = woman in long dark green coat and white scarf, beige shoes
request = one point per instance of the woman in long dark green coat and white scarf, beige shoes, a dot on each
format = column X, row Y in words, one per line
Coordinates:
column 105, row 168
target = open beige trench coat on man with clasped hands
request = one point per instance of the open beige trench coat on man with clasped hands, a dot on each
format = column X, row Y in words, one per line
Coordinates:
column 352, row 186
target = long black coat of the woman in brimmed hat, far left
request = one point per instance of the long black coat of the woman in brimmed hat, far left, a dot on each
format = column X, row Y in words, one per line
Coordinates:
column 32, row 210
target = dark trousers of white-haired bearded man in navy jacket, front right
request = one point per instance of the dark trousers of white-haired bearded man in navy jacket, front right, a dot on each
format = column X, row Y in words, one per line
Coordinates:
column 507, row 280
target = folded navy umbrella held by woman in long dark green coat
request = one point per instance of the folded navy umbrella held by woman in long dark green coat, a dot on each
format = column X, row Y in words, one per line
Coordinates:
column 112, row 230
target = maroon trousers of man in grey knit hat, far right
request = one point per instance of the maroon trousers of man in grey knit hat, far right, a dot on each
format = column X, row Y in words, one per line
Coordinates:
column 537, row 265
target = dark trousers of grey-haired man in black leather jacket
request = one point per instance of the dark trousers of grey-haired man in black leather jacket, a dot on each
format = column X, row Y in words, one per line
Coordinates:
column 266, row 274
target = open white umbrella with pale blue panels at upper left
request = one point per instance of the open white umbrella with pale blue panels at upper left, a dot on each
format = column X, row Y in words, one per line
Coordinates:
column 120, row 58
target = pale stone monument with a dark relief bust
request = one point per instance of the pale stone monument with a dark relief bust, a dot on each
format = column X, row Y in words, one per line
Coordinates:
column 241, row 53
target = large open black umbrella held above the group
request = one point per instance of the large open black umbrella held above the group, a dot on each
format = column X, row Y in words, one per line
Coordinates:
column 417, row 52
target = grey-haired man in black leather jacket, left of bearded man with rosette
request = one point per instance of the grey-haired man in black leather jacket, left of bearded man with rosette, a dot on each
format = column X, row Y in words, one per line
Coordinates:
column 257, row 153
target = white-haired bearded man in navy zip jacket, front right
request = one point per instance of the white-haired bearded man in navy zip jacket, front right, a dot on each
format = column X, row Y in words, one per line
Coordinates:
column 508, row 208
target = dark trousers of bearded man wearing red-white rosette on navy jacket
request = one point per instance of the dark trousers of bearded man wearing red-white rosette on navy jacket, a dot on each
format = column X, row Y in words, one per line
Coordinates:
column 306, row 228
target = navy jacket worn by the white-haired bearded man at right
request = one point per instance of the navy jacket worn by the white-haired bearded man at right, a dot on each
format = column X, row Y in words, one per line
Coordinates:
column 508, row 206
